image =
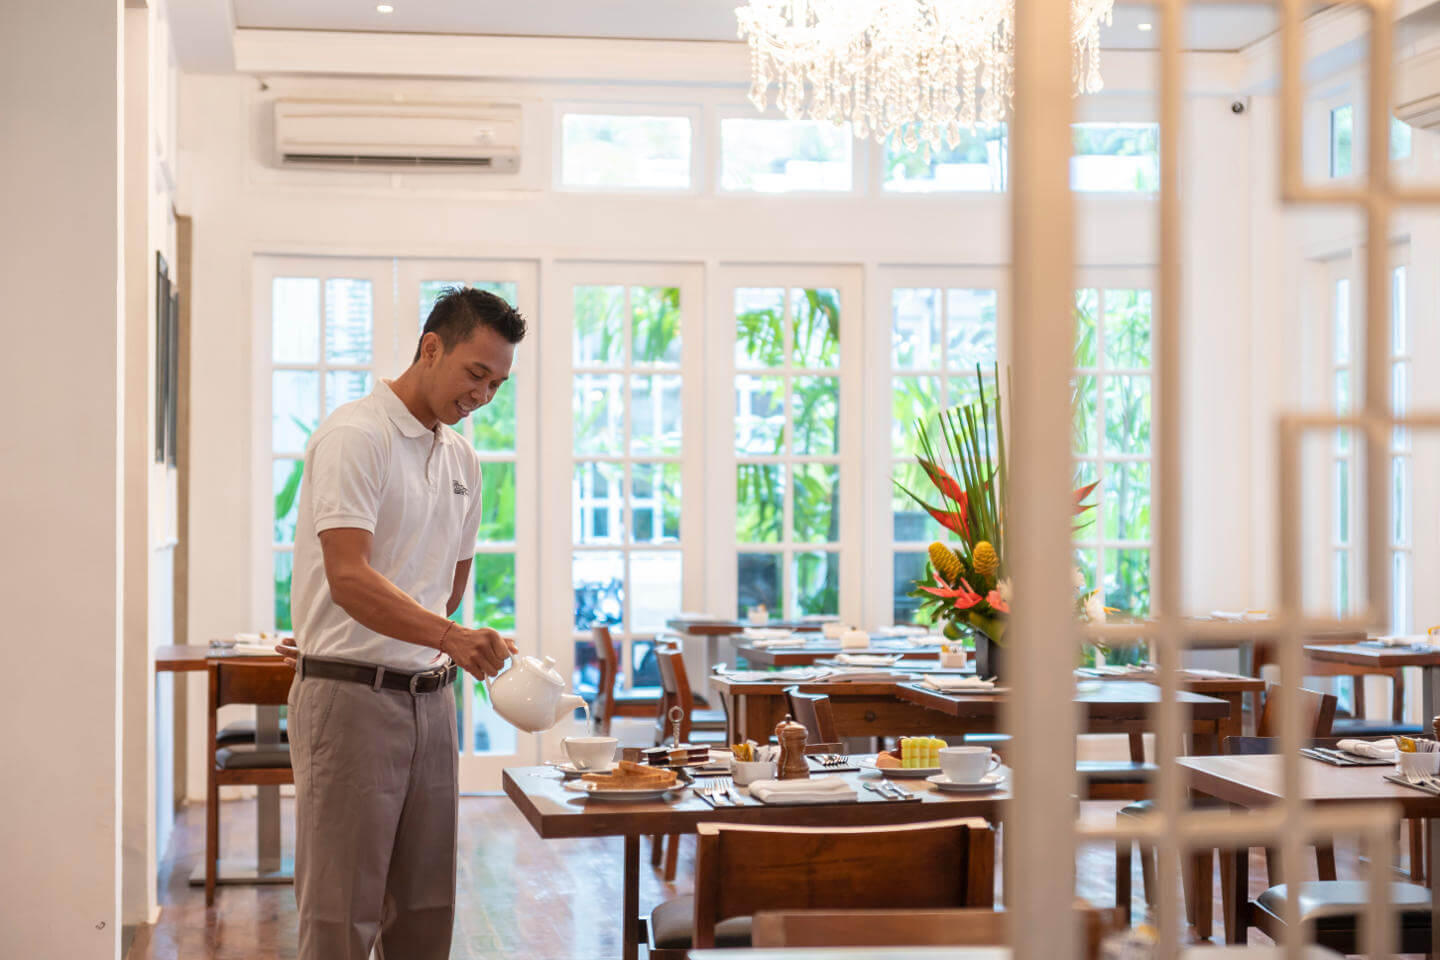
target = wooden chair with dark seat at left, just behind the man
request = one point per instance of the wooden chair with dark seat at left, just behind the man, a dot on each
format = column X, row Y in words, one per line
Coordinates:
column 264, row 684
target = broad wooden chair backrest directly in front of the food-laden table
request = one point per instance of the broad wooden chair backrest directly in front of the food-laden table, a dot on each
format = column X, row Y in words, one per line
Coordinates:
column 742, row 870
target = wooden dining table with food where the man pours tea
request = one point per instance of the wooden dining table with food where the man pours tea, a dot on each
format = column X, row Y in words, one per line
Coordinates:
column 558, row 814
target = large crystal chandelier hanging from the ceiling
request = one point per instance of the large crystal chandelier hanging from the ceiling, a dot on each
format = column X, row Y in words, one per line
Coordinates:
column 914, row 70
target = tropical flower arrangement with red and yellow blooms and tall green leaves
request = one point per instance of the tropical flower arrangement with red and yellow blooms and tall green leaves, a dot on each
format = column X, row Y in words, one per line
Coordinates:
column 967, row 582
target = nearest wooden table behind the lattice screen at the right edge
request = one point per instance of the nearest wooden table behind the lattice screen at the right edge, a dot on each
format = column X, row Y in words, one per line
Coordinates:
column 1254, row 782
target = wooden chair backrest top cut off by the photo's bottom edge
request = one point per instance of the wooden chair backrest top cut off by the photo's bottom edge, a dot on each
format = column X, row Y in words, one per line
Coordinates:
column 961, row 928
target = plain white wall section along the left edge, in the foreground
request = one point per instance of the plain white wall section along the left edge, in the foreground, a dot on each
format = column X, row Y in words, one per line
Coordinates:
column 61, row 372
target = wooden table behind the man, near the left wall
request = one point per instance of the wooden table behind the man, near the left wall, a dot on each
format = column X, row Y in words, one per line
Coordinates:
column 270, row 866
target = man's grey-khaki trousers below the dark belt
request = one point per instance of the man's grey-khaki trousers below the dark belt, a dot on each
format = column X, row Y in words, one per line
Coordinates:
column 377, row 802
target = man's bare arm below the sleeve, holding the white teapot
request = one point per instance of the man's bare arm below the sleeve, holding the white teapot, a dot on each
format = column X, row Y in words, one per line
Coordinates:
column 378, row 605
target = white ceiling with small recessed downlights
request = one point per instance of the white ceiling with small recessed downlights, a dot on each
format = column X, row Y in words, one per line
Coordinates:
column 1212, row 27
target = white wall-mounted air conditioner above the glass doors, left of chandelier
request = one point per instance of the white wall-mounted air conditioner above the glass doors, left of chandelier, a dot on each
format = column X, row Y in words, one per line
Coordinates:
column 408, row 137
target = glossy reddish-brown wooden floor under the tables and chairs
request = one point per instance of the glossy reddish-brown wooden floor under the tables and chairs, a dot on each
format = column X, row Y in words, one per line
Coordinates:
column 518, row 896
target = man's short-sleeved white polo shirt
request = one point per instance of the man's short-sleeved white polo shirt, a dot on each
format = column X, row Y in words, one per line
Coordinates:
column 372, row 466
